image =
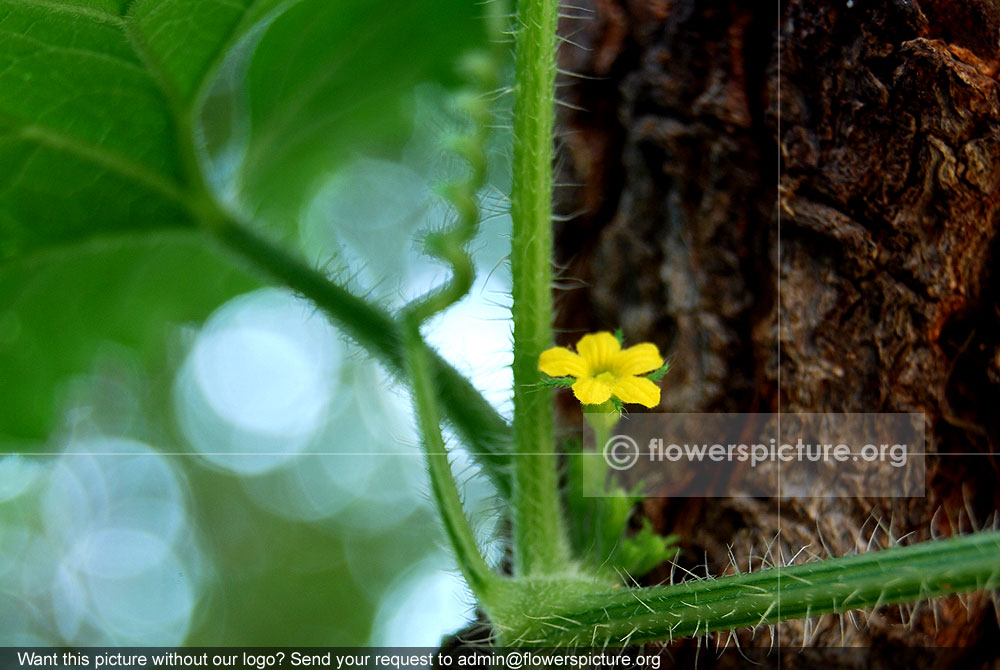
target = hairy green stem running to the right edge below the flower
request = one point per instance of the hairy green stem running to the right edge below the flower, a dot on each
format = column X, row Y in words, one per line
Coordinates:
column 837, row 585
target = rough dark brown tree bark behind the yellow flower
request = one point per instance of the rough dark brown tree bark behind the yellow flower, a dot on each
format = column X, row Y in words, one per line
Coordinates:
column 870, row 143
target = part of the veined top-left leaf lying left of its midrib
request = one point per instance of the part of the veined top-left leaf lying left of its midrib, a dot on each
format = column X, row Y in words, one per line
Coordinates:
column 69, row 167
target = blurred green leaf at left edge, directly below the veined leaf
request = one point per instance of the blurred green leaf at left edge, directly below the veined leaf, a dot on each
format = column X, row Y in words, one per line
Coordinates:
column 57, row 309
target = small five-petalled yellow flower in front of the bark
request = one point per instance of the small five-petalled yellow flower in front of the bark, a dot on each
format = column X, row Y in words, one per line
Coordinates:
column 602, row 369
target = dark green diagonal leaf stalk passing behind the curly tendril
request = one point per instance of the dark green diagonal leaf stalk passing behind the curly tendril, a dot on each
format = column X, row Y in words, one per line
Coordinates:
column 482, row 429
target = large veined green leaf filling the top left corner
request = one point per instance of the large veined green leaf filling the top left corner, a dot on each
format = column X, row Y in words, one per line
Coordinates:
column 96, row 130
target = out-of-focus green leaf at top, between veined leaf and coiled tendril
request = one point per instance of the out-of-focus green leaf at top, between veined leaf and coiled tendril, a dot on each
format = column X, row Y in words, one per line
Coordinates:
column 331, row 79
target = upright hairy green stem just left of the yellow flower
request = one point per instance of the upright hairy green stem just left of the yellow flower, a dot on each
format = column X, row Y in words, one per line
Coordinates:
column 540, row 540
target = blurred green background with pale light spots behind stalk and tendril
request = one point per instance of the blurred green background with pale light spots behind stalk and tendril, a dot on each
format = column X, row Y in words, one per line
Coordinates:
column 194, row 457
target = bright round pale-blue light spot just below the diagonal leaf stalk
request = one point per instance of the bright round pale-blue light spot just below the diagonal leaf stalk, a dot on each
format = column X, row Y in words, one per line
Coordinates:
column 258, row 383
